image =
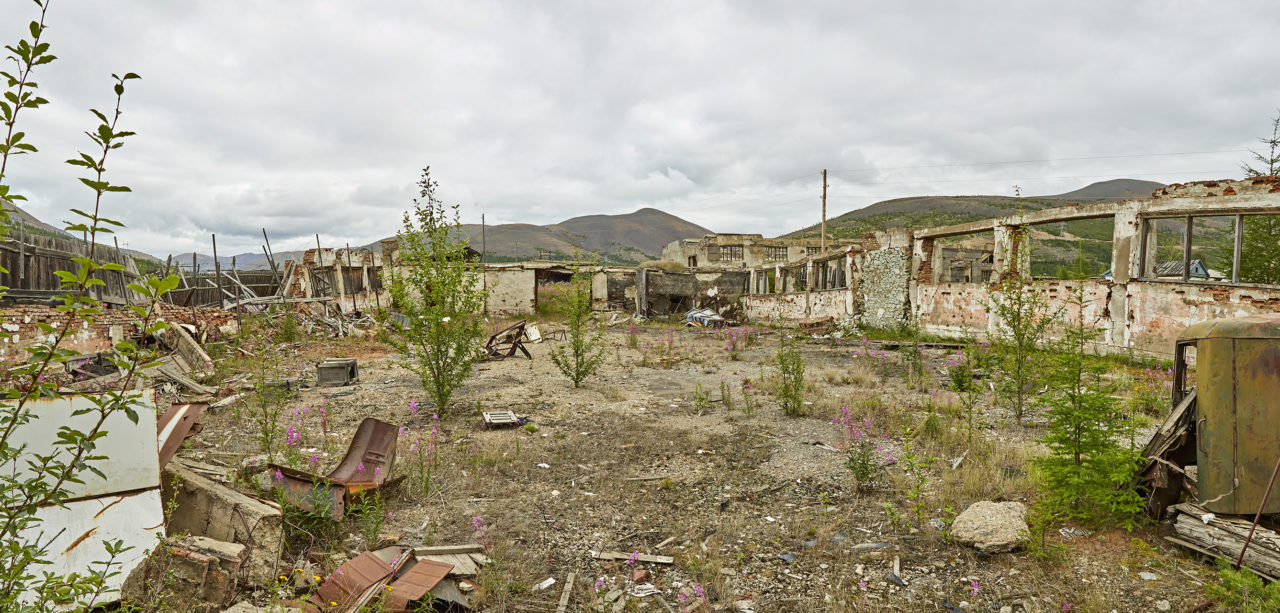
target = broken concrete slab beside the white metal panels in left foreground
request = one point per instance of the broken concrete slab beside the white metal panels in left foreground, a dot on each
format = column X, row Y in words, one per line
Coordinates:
column 208, row 509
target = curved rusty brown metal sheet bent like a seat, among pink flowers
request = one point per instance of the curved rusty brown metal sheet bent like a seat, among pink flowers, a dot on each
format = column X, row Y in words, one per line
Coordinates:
column 368, row 465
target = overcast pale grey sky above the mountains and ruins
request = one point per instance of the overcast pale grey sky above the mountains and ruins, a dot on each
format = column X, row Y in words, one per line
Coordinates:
column 317, row 117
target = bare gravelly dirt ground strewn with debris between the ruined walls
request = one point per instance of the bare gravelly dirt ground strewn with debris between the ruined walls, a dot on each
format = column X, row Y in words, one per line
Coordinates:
column 756, row 507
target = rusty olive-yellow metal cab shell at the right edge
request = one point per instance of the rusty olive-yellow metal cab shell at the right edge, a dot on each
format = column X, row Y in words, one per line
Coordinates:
column 1237, row 377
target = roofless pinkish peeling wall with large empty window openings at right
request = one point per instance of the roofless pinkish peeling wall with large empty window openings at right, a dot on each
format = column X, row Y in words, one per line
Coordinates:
column 1132, row 314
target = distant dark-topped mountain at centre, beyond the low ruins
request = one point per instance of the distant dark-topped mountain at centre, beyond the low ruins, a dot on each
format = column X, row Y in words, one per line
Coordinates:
column 628, row 239
